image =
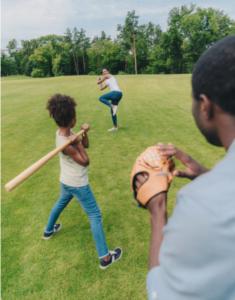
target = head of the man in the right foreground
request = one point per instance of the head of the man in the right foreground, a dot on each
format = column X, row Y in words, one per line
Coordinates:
column 213, row 87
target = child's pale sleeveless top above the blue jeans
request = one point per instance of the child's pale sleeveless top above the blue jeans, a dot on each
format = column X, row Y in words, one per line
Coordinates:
column 72, row 173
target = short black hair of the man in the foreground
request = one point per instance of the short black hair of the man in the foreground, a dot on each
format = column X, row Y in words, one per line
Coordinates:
column 214, row 75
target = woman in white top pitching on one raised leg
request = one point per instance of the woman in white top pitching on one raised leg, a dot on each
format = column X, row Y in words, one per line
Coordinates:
column 115, row 95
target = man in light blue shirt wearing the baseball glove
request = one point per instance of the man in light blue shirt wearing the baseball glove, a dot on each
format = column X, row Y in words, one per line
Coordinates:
column 193, row 255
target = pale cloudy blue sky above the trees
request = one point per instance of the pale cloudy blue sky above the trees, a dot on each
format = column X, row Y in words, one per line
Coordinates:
column 28, row 19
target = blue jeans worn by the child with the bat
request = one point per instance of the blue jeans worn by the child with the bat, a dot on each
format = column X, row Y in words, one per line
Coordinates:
column 87, row 201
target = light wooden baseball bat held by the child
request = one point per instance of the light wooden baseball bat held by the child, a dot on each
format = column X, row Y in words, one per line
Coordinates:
column 37, row 165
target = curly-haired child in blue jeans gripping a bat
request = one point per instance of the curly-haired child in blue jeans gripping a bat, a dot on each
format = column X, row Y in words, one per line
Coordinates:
column 74, row 163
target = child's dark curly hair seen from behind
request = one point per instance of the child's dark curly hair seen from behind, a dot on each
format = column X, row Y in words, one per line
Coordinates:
column 61, row 109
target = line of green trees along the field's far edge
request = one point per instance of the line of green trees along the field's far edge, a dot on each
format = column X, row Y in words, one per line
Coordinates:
column 137, row 49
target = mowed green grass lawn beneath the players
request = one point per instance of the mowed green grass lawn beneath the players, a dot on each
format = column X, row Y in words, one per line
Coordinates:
column 154, row 108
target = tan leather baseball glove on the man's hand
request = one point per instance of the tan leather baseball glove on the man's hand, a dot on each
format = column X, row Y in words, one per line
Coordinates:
column 158, row 173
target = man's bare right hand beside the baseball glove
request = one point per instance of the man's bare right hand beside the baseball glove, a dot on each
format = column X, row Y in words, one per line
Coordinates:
column 193, row 168
